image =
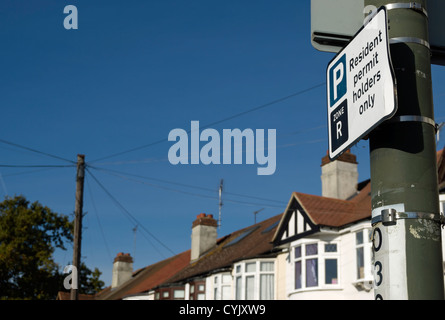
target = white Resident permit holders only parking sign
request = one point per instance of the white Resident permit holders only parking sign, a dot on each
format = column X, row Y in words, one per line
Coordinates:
column 361, row 88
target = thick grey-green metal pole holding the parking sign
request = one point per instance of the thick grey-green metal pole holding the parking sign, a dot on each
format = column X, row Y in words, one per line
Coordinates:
column 406, row 217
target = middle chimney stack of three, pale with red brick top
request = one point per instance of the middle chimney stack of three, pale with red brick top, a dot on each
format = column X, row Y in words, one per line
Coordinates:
column 203, row 235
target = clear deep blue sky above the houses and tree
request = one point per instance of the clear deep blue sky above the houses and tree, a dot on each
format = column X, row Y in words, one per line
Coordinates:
column 132, row 72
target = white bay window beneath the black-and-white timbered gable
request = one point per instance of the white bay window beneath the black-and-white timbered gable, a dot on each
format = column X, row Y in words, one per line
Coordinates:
column 315, row 265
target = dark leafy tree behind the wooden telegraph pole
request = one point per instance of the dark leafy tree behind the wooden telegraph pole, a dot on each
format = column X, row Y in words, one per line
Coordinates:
column 29, row 235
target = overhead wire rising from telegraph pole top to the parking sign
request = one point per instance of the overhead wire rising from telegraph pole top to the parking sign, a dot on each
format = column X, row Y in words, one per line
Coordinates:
column 268, row 104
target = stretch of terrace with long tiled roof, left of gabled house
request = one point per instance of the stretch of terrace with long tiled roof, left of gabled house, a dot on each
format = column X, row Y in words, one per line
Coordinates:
column 230, row 267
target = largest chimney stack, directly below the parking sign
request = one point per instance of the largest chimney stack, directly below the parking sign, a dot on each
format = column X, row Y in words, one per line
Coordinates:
column 339, row 178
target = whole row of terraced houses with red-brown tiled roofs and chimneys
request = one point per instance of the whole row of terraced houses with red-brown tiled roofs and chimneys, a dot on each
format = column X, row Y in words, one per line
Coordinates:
column 318, row 248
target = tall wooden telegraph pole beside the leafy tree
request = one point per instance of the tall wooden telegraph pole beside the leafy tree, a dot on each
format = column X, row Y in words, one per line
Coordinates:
column 78, row 222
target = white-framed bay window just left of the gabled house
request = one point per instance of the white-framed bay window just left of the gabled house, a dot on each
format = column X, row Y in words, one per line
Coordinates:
column 255, row 280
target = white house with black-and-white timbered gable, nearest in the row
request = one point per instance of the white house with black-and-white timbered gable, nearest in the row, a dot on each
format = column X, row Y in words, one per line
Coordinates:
column 325, row 239
